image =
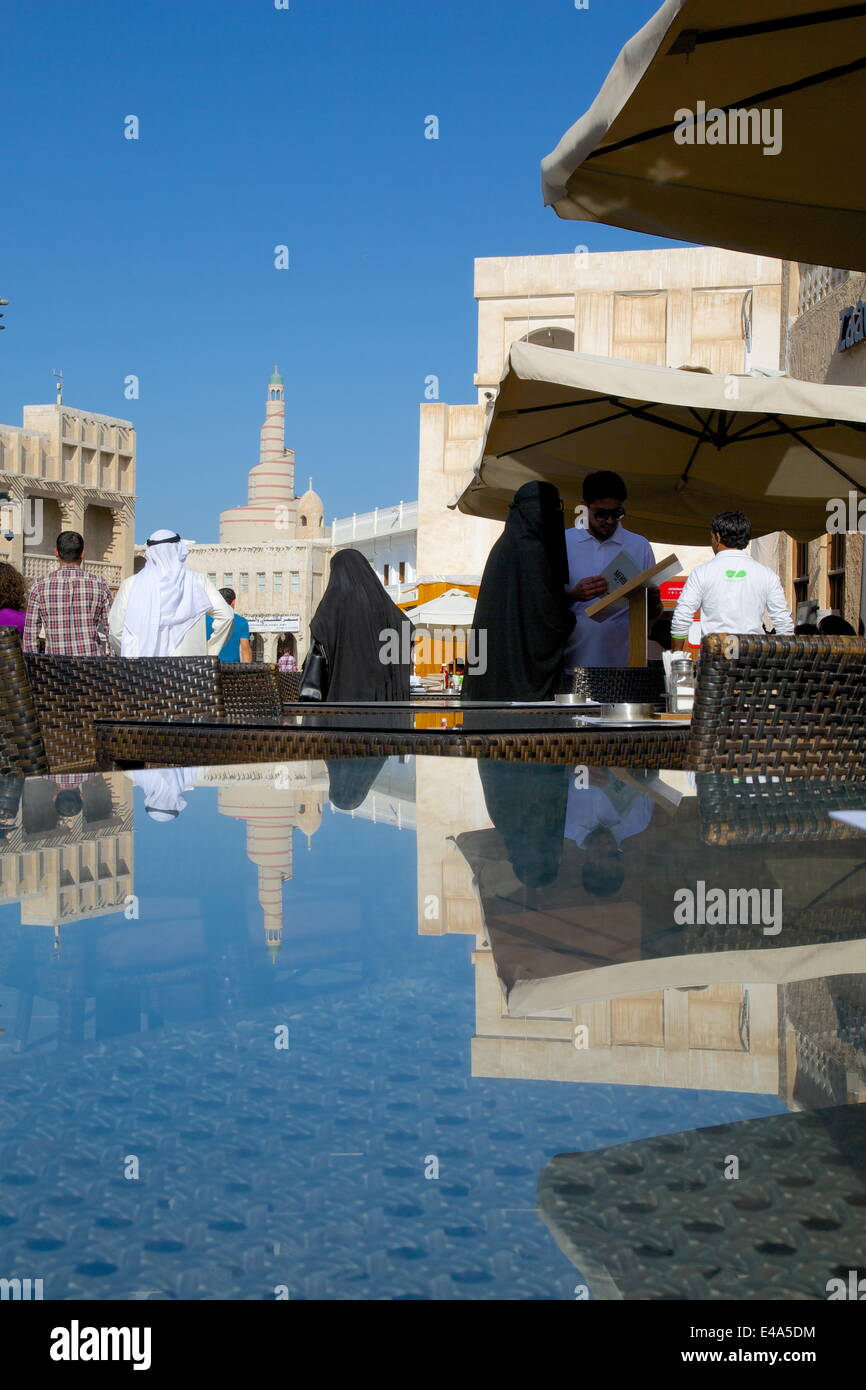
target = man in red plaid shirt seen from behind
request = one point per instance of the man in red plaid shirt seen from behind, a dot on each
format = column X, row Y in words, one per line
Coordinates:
column 72, row 605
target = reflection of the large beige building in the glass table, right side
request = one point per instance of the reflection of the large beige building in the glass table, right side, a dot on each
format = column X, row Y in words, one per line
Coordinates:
column 803, row 1042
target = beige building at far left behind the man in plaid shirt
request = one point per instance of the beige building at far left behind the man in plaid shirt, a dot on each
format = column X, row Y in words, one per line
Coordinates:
column 81, row 468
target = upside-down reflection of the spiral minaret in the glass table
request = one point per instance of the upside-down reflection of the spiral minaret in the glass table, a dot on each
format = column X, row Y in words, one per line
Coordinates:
column 273, row 803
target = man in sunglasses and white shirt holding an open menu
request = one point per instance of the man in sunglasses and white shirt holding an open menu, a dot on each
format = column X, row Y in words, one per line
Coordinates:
column 593, row 546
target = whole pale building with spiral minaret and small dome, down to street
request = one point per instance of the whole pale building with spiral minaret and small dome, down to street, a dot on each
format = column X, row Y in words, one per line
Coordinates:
column 275, row 551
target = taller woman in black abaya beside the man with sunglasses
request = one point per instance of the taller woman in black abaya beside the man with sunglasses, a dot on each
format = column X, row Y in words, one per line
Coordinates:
column 523, row 618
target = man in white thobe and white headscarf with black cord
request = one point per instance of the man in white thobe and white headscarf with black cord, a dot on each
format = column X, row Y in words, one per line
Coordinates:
column 162, row 610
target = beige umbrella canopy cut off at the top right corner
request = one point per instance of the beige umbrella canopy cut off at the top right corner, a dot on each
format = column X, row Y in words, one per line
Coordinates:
column 626, row 162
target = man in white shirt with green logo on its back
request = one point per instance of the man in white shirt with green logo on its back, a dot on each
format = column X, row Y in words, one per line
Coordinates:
column 733, row 591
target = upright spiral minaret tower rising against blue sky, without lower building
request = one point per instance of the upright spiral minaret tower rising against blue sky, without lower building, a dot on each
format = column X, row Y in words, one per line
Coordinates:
column 272, row 505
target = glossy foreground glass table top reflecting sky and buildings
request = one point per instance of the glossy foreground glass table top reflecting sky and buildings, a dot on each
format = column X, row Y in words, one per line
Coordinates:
column 401, row 1029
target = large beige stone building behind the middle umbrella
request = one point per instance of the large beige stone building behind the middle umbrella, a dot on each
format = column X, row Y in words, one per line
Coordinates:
column 692, row 306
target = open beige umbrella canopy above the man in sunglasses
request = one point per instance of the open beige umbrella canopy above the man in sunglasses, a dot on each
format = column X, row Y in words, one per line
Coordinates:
column 686, row 443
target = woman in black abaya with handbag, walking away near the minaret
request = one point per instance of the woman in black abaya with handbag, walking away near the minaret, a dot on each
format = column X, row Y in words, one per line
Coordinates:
column 366, row 639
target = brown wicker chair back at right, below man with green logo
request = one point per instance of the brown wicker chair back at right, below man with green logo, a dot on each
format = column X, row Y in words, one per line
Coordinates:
column 793, row 707
